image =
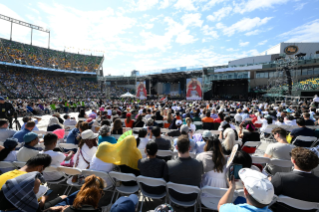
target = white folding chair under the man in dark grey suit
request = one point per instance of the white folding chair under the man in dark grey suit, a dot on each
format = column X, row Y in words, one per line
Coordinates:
column 183, row 189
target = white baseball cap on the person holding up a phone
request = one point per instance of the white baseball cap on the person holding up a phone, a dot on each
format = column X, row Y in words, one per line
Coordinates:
column 257, row 185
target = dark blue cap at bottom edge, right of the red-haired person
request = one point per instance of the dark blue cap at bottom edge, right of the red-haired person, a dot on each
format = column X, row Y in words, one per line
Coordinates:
column 125, row 204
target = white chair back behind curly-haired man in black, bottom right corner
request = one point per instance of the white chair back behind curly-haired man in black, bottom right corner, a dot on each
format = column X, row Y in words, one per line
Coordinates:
column 296, row 203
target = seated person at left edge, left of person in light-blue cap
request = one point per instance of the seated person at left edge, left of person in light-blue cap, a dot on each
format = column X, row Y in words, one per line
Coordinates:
column 8, row 153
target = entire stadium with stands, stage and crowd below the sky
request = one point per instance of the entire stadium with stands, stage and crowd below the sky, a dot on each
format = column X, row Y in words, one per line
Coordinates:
column 242, row 136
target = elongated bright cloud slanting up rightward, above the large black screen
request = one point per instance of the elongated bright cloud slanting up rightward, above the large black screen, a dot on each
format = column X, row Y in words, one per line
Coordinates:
column 246, row 24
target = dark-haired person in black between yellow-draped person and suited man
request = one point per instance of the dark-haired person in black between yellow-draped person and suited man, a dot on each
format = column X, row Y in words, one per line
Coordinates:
column 152, row 167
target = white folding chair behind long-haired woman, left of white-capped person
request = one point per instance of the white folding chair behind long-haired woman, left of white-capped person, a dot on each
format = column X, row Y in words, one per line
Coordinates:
column 215, row 194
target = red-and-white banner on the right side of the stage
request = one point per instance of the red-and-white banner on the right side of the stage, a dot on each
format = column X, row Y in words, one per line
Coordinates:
column 194, row 89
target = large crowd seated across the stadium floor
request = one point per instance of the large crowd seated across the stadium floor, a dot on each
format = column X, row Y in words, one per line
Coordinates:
column 208, row 145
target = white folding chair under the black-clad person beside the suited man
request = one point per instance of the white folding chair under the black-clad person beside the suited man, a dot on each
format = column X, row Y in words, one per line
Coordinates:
column 152, row 182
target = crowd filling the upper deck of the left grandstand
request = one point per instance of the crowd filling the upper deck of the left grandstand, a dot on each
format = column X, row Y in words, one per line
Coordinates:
column 43, row 57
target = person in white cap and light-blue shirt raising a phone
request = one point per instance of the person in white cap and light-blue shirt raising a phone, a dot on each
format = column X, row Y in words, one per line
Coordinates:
column 258, row 190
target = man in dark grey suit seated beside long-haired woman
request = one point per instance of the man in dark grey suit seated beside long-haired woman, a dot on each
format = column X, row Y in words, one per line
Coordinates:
column 184, row 170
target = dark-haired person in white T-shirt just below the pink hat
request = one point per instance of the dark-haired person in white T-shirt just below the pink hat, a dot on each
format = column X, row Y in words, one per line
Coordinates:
column 50, row 141
